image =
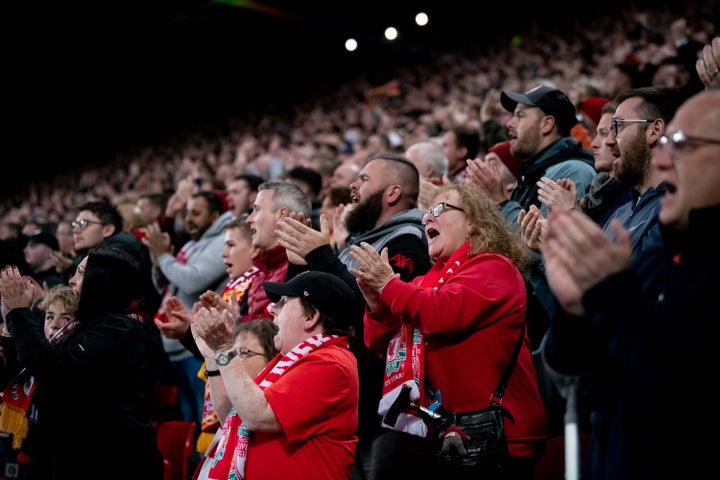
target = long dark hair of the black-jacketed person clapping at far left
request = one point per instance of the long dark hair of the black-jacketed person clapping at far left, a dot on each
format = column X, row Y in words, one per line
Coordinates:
column 111, row 283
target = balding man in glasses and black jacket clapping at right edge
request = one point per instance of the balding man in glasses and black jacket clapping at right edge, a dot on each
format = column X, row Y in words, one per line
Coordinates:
column 644, row 325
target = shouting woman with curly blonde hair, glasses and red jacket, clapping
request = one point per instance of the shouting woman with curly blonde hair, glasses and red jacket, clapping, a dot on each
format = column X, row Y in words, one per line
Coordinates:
column 463, row 318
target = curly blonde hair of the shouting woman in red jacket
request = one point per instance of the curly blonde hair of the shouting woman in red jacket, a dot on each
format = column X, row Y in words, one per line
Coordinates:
column 489, row 231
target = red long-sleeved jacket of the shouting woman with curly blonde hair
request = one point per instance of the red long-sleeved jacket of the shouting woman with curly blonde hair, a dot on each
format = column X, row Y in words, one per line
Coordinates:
column 471, row 324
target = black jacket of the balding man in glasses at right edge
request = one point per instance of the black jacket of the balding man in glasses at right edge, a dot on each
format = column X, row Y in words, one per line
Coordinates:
column 649, row 345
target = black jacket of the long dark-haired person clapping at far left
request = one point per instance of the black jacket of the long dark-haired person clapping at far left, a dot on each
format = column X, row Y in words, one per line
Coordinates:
column 95, row 395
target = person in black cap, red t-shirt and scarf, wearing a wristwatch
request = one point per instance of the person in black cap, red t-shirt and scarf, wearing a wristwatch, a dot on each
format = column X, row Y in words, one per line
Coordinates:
column 298, row 418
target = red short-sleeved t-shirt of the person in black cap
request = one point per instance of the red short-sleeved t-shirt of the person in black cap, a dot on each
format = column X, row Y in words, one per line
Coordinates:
column 316, row 402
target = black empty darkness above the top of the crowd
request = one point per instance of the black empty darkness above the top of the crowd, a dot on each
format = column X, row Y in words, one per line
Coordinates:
column 90, row 78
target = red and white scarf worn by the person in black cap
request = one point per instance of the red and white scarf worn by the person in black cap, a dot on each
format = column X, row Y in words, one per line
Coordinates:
column 228, row 453
